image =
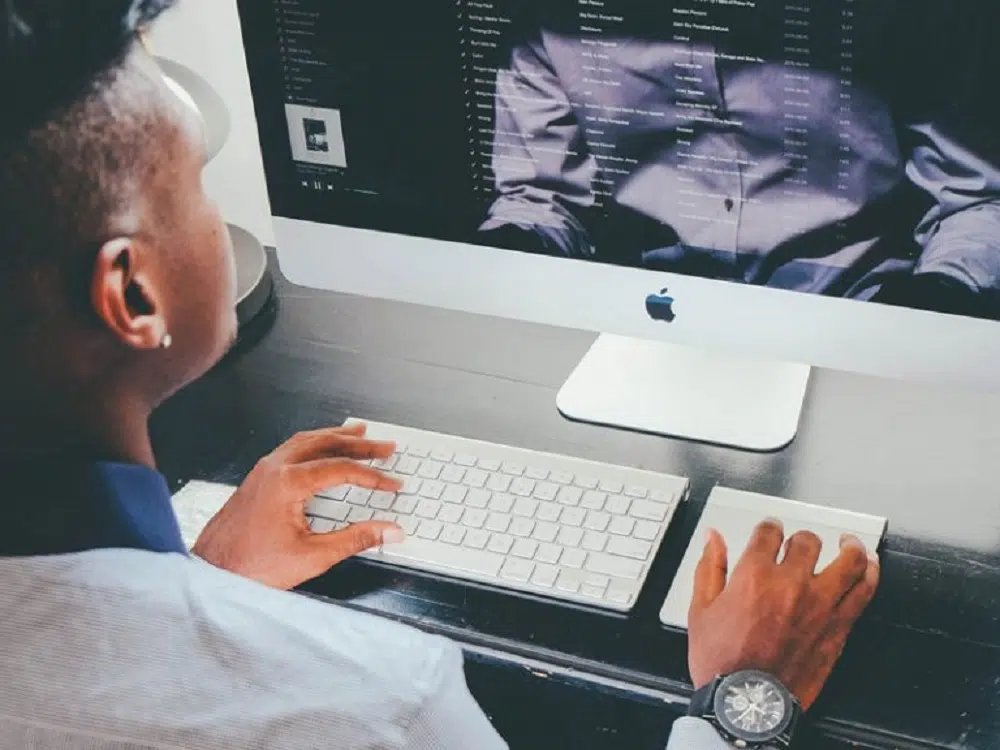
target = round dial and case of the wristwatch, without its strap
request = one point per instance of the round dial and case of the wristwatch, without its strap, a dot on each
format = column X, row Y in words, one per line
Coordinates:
column 753, row 706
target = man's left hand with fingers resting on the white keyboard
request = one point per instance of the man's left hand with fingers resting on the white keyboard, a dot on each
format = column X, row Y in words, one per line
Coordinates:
column 262, row 531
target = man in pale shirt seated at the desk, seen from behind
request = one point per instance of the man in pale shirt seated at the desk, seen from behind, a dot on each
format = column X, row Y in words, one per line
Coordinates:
column 117, row 290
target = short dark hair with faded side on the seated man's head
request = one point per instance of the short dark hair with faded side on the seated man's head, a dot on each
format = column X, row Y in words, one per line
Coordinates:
column 78, row 130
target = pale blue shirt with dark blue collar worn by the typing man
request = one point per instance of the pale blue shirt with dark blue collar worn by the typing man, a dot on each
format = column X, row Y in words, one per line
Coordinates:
column 120, row 647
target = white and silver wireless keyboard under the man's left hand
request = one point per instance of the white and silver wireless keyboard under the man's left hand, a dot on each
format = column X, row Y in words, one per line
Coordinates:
column 531, row 522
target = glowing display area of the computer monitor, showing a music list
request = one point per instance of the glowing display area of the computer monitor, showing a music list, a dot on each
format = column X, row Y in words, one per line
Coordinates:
column 846, row 148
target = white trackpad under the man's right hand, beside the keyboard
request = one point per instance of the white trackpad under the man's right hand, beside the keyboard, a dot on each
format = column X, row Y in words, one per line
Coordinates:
column 735, row 515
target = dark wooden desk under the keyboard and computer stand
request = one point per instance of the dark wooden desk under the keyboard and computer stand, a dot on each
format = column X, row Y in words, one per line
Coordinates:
column 922, row 671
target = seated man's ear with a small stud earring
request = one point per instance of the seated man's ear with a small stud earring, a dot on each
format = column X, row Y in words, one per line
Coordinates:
column 124, row 297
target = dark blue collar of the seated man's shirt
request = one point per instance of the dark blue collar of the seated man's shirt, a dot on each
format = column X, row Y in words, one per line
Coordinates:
column 61, row 509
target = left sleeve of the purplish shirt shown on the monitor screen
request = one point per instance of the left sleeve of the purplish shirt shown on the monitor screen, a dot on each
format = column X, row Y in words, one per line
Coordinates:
column 544, row 169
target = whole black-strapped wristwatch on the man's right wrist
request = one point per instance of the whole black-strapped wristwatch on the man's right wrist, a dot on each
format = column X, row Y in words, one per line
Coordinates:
column 750, row 709
